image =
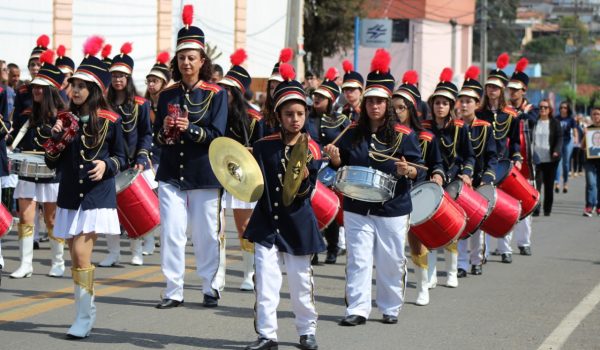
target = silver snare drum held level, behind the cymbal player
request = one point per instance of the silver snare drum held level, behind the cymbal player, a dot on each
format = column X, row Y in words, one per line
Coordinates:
column 365, row 184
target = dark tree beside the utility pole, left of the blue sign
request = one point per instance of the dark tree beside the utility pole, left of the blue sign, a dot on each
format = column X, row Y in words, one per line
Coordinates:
column 328, row 29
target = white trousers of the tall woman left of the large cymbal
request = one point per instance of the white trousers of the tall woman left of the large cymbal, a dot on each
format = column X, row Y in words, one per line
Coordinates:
column 202, row 209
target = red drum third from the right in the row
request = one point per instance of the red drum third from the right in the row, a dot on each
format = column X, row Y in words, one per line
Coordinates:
column 473, row 203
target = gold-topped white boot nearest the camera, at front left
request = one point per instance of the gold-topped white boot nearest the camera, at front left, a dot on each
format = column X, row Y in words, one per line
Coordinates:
column 84, row 301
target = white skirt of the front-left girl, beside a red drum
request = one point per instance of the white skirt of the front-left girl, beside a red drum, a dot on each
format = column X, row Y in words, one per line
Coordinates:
column 71, row 223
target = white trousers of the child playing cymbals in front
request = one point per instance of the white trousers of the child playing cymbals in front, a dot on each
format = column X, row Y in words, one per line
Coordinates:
column 268, row 278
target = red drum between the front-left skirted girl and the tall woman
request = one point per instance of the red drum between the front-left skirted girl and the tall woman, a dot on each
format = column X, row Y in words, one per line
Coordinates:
column 137, row 204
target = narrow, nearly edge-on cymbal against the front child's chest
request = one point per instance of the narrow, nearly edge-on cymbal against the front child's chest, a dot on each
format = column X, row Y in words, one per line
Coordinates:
column 294, row 173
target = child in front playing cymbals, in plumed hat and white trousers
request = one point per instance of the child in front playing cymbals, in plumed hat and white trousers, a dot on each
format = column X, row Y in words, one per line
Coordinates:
column 285, row 236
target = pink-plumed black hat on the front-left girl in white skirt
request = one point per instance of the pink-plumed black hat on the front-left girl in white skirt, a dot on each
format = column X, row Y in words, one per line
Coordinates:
column 92, row 69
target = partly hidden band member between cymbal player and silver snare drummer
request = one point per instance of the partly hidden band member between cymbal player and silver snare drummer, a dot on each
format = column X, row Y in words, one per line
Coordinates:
column 324, row 125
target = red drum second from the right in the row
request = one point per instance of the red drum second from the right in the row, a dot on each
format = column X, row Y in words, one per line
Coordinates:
column 503, row 211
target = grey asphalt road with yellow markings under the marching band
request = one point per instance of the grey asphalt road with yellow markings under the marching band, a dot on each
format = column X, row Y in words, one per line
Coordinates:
column 517, row 306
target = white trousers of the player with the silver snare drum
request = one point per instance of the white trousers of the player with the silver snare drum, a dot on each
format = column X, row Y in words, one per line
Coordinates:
column 379, row 240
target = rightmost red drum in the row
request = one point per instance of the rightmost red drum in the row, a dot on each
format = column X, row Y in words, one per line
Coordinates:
column 517, row 186
